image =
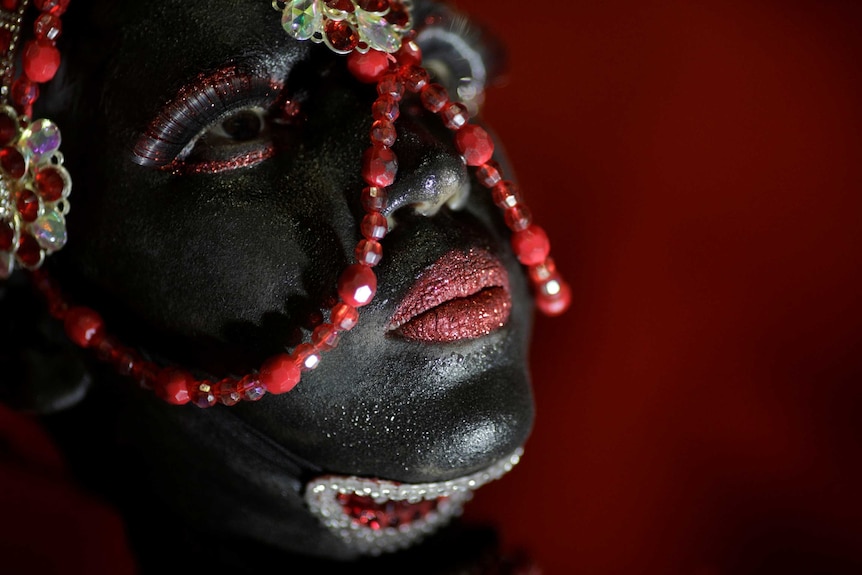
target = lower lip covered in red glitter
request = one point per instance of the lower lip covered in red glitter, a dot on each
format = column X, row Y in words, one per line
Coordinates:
column 461, row 318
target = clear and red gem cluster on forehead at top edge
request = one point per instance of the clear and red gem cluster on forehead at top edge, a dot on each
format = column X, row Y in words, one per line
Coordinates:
column 348, row 25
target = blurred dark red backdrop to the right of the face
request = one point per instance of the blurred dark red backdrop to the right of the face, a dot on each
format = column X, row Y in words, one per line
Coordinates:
column 698, row 167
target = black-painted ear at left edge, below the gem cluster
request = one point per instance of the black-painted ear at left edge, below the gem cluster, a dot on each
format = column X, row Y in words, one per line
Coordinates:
column 41, row 371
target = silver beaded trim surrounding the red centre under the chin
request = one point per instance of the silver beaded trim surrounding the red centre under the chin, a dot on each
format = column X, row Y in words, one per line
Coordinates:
column 321, row 497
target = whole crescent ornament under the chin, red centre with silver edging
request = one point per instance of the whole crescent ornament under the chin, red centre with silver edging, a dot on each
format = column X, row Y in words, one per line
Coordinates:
column 375, row 516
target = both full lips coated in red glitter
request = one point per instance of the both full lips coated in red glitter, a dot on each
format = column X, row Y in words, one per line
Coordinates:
column 463, row 295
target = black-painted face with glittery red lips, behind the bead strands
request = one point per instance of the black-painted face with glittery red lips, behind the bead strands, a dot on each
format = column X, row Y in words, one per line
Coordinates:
column 210, row 226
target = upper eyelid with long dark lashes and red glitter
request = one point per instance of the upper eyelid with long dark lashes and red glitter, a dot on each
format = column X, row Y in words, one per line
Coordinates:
column 197, row 106
